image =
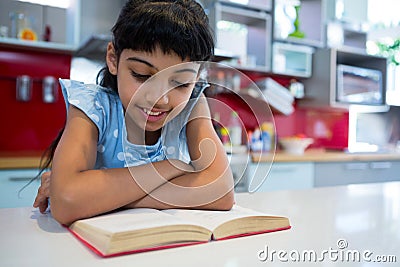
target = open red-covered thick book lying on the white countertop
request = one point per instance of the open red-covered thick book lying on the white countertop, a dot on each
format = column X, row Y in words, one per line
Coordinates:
column 140, row 230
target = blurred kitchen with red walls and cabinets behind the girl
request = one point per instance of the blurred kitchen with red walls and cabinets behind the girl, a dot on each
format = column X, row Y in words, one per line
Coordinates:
column 328, row 70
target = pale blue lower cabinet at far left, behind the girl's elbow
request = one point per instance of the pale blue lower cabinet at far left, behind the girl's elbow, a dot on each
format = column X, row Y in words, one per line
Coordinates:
column 12, row 191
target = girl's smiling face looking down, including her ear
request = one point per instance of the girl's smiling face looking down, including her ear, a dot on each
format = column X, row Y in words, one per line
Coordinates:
column 153, row 87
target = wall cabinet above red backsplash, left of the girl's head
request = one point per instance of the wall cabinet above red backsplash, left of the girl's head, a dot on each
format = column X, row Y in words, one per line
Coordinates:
column 83, row 29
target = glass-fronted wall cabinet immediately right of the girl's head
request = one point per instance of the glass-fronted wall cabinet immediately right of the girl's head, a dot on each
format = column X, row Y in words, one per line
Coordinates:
column 249, row 27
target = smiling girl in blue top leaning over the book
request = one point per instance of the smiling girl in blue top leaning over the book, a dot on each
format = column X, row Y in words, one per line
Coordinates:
column 165, row 152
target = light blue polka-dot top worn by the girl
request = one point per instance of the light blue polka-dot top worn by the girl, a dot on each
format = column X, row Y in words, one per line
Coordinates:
column 104, row 108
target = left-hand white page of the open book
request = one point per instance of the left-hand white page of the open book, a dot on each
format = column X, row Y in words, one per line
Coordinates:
column 131, row 219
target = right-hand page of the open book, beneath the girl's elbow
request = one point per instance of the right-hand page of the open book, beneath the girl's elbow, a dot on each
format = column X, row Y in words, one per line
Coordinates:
column 212, row 219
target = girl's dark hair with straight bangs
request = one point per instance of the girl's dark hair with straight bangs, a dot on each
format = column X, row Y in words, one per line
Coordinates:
column 174, row 26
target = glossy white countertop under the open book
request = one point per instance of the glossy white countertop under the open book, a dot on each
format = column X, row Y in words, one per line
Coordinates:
column 365, row 217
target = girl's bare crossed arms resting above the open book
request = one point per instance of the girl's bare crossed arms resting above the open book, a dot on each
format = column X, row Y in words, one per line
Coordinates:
column 78, row 191
